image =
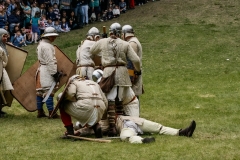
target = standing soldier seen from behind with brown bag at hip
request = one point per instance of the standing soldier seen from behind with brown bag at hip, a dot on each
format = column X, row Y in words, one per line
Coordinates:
column 114, row 58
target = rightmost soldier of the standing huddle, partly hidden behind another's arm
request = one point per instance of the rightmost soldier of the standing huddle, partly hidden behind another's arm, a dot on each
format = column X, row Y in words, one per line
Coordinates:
column 128, row 35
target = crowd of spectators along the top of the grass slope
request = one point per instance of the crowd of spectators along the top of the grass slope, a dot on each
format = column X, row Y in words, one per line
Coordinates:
column 26, row 19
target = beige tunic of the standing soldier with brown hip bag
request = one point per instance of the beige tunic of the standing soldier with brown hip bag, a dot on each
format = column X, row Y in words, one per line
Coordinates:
column 107, row 47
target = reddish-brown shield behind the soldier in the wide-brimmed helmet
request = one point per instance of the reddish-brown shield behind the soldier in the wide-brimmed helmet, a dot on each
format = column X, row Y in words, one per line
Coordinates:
column 25, row 86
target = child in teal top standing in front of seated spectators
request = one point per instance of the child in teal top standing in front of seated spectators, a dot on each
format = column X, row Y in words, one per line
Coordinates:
column 35, row 21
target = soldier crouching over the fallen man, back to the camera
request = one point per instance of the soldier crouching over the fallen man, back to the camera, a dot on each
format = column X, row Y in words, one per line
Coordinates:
column 85, row 102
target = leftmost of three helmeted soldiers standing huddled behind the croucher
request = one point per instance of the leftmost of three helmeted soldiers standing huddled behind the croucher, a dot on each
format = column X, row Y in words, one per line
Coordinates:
column 85, row 61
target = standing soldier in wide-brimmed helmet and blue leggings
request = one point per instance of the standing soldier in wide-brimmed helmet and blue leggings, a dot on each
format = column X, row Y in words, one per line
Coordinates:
column 47, row 71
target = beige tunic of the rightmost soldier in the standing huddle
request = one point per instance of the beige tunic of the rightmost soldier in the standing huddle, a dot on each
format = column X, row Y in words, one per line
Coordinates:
column 137, row 47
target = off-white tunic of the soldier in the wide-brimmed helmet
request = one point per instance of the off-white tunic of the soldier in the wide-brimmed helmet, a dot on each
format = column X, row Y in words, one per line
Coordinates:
column 48, row 63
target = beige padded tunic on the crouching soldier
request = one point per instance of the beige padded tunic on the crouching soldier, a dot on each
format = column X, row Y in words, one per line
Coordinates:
column 87, row 102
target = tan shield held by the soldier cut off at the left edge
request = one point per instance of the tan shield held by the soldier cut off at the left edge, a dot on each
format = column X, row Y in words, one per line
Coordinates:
column 16, row 61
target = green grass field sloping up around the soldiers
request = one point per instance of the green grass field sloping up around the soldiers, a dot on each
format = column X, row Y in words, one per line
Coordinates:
column 191, row 70
